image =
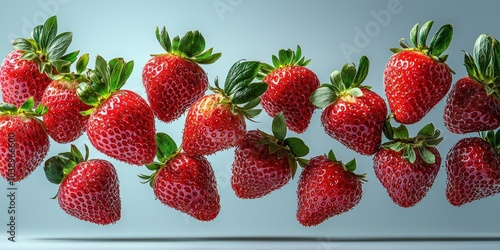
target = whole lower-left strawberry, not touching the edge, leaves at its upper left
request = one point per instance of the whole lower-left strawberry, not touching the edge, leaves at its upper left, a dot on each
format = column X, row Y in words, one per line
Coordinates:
column 88, row 189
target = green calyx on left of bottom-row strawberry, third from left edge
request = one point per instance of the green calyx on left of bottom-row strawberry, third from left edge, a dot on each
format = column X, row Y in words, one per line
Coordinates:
column 166, row 151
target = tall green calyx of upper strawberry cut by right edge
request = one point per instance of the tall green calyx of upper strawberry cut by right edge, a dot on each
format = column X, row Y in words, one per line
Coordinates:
column 483, row 66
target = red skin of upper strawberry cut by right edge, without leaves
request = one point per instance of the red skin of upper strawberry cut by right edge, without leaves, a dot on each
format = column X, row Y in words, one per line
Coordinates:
column 470, row 109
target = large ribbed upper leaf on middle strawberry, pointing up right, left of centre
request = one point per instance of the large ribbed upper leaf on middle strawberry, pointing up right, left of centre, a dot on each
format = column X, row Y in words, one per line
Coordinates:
column 240, row 75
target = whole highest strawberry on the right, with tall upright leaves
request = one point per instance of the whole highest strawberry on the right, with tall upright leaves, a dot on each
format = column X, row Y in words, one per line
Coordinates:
column 416, row 79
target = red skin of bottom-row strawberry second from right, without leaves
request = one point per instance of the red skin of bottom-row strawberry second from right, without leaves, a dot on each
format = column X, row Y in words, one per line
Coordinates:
column 406, row 183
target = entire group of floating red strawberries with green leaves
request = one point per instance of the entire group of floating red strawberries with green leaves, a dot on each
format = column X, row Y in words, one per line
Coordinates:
column 37, row 81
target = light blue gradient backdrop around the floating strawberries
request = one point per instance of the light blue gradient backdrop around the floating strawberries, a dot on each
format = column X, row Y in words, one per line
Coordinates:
column 254, row 30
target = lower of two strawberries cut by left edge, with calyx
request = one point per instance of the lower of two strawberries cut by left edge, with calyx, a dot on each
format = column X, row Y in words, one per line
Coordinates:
column 24, row 143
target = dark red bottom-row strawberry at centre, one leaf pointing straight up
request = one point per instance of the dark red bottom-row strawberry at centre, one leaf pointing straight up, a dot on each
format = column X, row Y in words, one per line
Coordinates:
column 264, row 163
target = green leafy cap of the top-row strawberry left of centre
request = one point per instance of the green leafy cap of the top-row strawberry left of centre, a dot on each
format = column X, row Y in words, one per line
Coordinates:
column 191, row 46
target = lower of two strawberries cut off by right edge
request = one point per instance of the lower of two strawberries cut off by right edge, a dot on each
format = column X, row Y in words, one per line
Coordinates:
column 473, row 169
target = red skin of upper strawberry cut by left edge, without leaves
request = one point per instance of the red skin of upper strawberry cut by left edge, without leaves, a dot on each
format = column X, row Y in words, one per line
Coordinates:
column 21, row 79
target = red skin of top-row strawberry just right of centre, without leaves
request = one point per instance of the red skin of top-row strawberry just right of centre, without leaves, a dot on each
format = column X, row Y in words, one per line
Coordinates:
column 289, row 89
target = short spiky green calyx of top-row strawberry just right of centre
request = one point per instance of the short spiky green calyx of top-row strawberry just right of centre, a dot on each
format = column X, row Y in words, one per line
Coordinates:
column 285, row 58
